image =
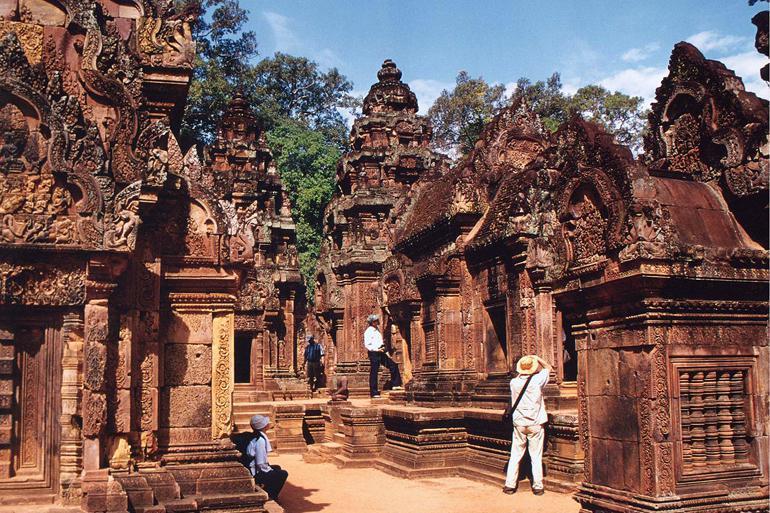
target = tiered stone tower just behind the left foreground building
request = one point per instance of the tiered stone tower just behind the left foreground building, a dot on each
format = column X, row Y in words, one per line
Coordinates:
column 240, row 173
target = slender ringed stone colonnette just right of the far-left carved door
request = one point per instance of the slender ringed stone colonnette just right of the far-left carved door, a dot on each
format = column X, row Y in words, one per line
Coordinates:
column 71, row 452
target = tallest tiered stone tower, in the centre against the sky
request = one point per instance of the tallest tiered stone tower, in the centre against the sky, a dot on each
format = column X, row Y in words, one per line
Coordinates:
column 389, row 152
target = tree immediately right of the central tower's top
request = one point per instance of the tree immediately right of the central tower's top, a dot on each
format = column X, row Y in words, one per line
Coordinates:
column 459, row 116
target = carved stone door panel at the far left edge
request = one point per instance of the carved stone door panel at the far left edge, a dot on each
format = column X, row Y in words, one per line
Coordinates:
column 30, row 380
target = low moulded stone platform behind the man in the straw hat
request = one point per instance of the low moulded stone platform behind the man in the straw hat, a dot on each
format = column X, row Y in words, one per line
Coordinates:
column 414, row 442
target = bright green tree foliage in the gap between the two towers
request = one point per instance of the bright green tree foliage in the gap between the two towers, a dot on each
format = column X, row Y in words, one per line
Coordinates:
column 307, row 162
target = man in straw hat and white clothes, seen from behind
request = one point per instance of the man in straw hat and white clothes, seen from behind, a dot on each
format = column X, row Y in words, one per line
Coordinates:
column 528, row 418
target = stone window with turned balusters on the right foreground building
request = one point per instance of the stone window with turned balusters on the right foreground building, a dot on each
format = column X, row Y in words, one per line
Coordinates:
column 715, row 412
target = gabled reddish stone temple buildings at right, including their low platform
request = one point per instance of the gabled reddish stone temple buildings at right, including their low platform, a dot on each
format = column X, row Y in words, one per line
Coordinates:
column 643, row 281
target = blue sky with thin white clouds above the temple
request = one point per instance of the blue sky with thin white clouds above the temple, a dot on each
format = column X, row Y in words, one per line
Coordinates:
column 621, row 44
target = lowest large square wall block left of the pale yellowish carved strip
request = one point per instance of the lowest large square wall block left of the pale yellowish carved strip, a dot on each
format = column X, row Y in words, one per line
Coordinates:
column 186, row 407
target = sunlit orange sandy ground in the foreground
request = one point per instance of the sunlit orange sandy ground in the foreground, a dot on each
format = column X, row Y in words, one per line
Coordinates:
column 314, row 487
